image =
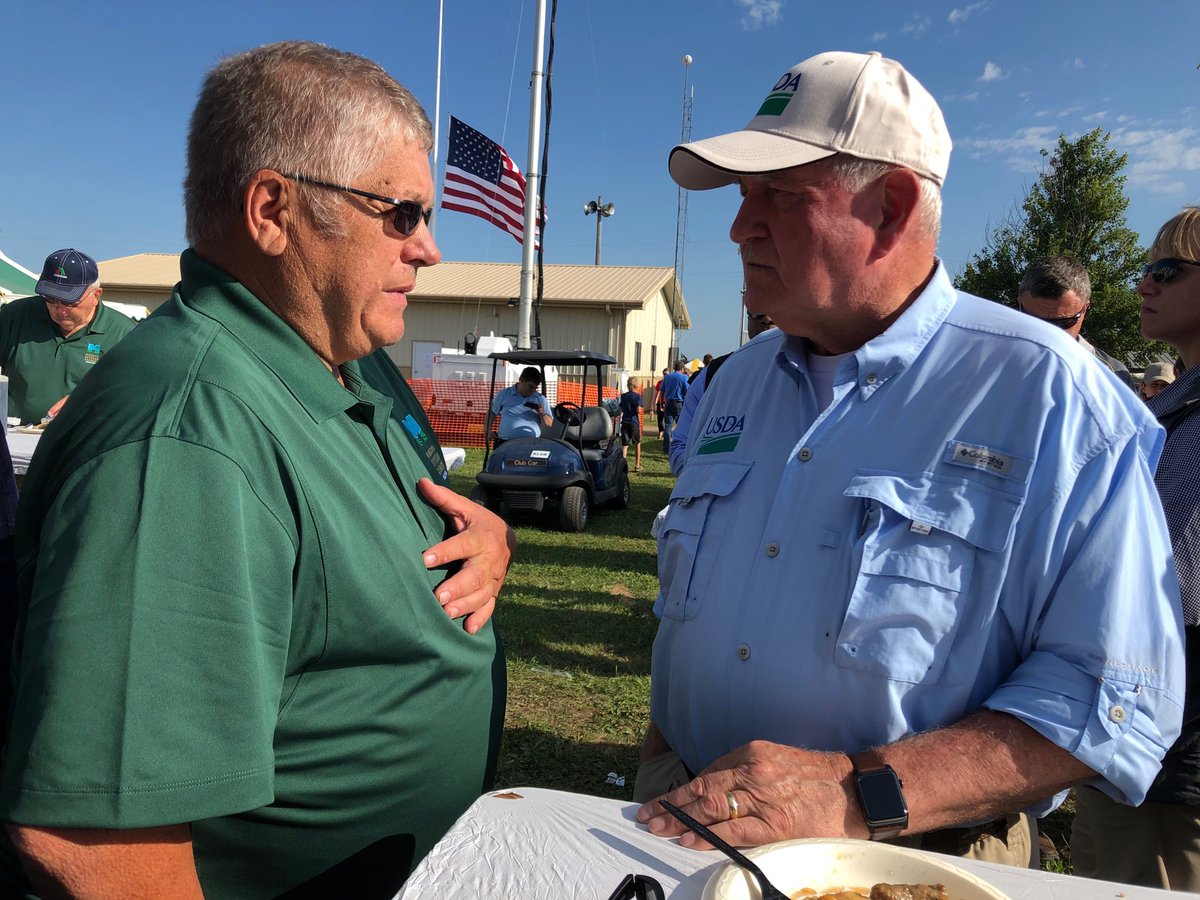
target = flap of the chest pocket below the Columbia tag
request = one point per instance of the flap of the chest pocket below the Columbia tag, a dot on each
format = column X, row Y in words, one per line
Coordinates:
column 979, row 515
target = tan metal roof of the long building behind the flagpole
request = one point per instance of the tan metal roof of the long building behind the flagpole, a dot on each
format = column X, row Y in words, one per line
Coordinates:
column 622, row 286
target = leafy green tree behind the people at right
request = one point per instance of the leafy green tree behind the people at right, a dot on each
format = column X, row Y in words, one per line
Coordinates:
column 1077, row 208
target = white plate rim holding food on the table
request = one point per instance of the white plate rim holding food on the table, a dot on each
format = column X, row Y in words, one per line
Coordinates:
column 831, row 865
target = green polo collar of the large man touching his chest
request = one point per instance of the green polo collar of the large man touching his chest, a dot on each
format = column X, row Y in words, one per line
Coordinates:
column 220, row 297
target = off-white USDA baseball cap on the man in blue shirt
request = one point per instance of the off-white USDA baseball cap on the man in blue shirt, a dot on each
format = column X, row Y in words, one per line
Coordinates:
column 856, row 104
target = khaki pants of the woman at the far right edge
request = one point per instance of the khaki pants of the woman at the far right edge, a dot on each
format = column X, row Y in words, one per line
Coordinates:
column 1156, row 845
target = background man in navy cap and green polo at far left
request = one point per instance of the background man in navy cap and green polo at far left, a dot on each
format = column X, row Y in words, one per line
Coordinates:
column 51, row 341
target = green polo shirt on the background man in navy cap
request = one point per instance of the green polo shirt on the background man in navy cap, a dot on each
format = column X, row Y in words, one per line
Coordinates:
column 43, row 365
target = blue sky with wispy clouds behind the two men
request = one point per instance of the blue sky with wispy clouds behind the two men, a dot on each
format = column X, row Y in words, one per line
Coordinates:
column 97, row 99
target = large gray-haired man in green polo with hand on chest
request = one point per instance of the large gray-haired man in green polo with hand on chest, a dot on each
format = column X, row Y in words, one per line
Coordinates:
column 242, row 667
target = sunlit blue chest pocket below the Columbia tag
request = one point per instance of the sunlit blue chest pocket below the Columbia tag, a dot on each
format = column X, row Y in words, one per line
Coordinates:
column 920, row 541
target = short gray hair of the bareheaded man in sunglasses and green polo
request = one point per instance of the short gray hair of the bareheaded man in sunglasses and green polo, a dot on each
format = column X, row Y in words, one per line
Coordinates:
column 295, row 107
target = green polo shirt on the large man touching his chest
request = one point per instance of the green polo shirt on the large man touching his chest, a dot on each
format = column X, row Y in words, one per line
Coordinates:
column 226, row 620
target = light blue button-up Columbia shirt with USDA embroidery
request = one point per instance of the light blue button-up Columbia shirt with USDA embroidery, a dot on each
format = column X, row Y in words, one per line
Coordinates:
column 971, row 524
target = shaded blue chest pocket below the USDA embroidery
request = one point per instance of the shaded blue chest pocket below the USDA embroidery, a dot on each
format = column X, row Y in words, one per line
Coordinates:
column 692, row 505
